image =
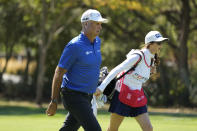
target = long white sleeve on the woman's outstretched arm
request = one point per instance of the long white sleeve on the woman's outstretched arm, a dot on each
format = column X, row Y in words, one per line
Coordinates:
column 125, row 65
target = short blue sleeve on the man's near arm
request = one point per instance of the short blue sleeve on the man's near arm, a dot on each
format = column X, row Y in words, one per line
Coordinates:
column 68, row 57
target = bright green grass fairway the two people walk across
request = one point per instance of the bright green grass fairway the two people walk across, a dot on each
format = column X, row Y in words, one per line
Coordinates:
column 25, row 117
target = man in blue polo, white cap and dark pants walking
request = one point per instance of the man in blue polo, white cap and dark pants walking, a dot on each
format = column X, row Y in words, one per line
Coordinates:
column 77, row 73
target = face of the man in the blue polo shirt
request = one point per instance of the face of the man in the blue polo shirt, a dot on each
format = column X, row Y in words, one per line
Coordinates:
column 93, row 28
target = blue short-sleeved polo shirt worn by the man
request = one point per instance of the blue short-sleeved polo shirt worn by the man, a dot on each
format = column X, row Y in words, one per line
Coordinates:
column 82, row 60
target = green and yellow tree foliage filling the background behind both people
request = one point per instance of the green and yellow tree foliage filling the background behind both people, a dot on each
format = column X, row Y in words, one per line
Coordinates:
column 44, row 27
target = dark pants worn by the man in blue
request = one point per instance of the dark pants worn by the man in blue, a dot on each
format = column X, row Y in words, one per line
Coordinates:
column 80, row 111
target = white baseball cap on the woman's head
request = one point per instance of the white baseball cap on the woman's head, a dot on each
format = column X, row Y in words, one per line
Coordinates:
column 154, row 36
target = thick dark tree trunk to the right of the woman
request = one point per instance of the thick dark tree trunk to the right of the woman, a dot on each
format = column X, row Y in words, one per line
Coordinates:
column 182, row 53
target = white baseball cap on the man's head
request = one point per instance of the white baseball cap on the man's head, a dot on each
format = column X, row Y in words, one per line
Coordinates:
column 93, row 15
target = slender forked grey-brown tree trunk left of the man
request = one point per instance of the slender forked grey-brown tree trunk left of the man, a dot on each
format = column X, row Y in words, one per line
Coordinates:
column 45, row 43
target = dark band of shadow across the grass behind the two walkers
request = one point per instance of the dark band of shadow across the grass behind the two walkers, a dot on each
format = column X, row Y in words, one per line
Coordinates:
column 22, row 110
